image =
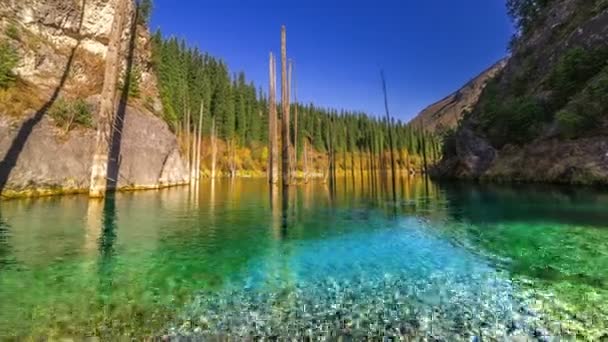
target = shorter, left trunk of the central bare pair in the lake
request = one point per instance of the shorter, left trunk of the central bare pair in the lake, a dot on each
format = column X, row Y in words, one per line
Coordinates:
column 273, row 165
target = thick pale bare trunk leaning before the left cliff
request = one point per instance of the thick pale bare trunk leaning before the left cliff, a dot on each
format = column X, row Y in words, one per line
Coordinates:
column 107, row 106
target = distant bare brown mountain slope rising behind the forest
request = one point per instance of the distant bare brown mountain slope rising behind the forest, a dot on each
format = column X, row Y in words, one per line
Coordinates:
column 445, row 114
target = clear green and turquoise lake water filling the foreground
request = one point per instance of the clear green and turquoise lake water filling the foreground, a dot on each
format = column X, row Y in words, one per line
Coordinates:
column 447, row 261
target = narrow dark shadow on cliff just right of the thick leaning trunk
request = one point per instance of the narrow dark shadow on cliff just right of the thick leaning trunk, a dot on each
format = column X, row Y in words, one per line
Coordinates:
column 119, row 119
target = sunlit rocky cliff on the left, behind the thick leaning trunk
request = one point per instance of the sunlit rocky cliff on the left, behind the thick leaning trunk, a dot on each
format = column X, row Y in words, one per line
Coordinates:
column 61, row 46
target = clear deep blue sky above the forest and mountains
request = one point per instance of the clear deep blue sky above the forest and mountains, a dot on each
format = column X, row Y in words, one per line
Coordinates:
column 427, row 48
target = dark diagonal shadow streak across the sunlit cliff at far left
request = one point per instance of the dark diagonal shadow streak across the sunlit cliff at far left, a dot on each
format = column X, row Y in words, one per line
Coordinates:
column 12, row 155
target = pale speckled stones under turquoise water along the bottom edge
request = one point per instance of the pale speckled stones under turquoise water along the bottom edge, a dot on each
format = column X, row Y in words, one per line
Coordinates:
column 471, row 308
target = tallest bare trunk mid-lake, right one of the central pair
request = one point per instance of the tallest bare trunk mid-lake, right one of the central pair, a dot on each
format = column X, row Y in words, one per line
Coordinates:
column 285, row 109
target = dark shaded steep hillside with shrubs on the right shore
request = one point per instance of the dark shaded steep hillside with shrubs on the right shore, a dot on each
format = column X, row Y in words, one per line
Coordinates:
column 545, row 117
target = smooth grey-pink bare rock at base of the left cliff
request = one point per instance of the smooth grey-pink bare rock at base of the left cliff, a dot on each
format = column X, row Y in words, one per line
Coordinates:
column 52, row 162
